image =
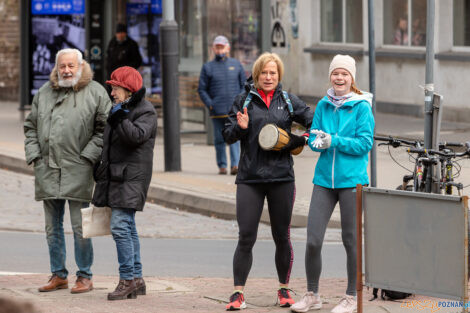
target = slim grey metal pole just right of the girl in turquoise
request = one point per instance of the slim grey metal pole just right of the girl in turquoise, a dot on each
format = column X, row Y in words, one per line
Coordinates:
column 373, row 152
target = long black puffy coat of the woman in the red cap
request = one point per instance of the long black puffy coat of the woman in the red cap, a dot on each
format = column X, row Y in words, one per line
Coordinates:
column 123, row 175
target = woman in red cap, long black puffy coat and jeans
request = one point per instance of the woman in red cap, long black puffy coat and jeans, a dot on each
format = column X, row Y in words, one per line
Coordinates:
column 124, row 172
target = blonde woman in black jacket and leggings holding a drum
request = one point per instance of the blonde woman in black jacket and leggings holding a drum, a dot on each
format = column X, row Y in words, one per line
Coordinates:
column 264, row 174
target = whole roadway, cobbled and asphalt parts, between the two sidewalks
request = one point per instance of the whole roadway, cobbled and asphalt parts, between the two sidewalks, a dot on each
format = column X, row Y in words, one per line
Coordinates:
column 173, row 243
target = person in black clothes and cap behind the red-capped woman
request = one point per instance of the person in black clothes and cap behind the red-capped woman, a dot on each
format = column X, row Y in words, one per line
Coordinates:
column 122, row 50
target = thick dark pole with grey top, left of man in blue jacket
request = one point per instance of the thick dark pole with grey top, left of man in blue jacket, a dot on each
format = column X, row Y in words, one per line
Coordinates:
column 171, row 110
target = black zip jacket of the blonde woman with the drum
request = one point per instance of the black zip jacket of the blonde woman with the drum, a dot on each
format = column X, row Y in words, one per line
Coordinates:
column 257, row 165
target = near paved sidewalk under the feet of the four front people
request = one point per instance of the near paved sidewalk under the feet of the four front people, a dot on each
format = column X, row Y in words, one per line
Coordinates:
column 204, row 295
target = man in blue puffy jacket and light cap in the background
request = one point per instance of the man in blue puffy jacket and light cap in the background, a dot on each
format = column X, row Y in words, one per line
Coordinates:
column 220, row 81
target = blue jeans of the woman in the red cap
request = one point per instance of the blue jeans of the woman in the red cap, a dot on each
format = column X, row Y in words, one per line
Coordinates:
column 127, row 243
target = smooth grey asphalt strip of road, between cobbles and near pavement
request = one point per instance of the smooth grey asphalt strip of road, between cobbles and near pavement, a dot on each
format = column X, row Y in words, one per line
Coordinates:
column 27, row 252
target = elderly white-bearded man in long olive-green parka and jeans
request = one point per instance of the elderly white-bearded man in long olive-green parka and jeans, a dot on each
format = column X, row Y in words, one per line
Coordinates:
column 64, row 139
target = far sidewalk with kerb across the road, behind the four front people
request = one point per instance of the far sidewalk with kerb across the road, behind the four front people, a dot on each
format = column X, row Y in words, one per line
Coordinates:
column 198, row 187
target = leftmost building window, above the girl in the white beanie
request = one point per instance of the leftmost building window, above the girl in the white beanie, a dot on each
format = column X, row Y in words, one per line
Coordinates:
column 341, row 21
